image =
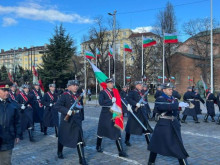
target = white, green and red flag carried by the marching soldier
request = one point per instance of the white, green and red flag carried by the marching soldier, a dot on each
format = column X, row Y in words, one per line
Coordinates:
column 117, row 106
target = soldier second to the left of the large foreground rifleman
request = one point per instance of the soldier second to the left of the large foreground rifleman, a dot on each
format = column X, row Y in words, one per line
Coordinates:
column 37, row 105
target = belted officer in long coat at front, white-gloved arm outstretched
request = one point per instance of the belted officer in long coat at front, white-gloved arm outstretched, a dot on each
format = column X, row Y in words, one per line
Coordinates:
column 166, row 139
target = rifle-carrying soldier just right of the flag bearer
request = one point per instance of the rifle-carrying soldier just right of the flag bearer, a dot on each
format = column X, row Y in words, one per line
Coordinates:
column 139, row 109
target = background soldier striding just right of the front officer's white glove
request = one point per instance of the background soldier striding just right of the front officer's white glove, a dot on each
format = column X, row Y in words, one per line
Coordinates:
column 189, row 96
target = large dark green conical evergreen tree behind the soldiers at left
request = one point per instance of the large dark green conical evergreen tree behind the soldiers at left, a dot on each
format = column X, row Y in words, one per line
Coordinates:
column 57, row 59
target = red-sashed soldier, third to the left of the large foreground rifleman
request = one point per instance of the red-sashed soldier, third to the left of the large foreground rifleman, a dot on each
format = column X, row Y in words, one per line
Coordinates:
column 26, row 111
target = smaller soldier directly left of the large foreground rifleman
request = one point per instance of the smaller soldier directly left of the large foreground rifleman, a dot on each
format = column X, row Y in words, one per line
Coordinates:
column 51, row 118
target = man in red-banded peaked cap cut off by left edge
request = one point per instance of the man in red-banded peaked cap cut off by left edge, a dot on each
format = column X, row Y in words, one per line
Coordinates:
column 9, row 124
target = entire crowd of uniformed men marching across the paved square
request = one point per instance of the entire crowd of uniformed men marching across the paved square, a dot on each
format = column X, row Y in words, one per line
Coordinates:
column 21, row 109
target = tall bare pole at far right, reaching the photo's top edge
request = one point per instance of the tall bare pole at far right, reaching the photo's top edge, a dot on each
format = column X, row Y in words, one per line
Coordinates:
column 211, row 47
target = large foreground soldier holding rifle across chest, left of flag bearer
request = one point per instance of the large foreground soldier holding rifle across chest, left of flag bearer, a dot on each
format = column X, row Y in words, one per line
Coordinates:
column 70, row 132
